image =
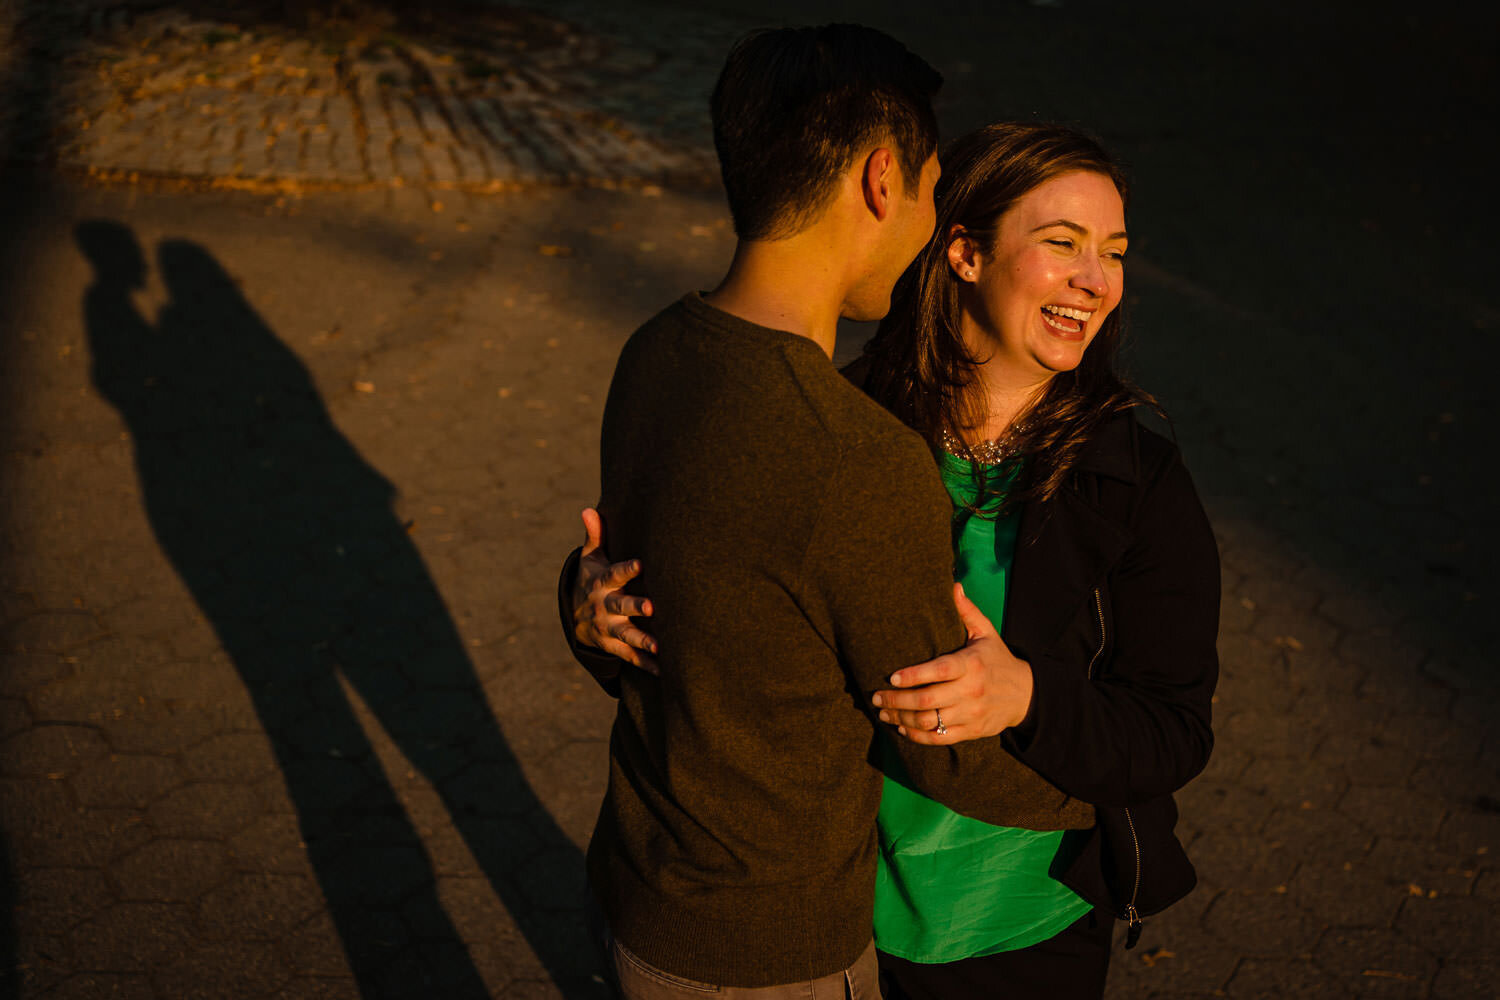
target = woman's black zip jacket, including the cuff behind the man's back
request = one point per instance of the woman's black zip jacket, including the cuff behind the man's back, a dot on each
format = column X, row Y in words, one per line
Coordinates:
column 1114, row 602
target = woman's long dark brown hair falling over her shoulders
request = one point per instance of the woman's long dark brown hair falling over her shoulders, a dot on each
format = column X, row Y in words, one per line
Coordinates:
column 920, row 368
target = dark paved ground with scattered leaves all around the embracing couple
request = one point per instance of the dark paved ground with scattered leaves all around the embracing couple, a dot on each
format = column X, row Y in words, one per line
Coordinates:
column 286, row 473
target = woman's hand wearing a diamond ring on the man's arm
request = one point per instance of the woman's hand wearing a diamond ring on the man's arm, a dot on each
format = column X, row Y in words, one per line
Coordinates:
column 976, row 692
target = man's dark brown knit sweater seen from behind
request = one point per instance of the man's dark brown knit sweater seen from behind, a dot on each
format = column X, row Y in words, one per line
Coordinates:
column 796, row 540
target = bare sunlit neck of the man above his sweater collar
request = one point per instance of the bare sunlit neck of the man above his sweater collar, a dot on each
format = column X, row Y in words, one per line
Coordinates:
column 797, row 286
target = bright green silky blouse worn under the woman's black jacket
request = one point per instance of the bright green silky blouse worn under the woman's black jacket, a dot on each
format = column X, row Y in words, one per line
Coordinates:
column 950, row 887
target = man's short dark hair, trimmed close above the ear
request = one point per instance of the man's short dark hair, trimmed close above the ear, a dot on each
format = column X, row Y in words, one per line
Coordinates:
column 793, row 107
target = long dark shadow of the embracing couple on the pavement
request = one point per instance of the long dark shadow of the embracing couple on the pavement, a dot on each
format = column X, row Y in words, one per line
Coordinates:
column 289, row 543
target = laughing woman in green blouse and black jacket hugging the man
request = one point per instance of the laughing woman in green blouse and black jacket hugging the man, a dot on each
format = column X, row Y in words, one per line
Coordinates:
column 1079, row 534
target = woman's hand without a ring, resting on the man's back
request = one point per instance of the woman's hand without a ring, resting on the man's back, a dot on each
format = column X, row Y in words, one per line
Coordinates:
column 602, row 612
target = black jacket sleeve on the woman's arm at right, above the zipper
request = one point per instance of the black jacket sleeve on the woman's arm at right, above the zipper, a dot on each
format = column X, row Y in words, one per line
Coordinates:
column 1141, row 726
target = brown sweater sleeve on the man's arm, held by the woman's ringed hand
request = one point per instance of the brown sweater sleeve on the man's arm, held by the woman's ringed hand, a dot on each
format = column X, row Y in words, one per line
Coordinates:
column 880, row 585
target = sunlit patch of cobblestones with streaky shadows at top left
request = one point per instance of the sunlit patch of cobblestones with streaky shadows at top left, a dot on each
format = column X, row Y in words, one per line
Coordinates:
column 523, row 97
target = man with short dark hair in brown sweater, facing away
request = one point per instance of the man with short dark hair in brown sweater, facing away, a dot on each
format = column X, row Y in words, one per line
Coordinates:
column 796, row 537
